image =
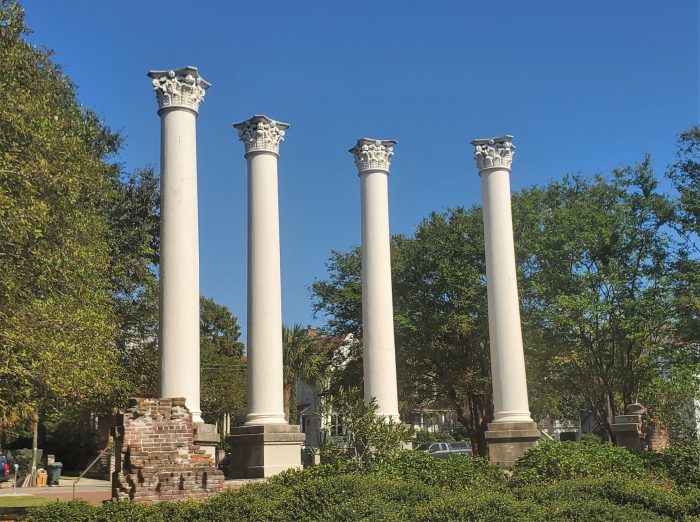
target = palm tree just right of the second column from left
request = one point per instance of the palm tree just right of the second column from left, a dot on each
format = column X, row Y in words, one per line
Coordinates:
column 304, row 359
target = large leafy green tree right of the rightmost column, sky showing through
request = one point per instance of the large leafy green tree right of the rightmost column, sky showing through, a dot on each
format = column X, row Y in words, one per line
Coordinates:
column 597, row 259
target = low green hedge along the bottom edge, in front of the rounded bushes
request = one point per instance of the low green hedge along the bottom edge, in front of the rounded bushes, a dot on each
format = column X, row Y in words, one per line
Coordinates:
column 378, row 496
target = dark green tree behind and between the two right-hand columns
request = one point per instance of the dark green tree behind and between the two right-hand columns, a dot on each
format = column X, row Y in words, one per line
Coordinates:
column 440, row 316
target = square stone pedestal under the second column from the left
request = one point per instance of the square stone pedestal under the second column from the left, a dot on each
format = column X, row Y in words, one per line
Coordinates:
column 264, row 451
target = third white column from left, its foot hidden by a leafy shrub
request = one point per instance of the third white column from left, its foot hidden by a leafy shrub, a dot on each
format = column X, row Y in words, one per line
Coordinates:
column 372, row 158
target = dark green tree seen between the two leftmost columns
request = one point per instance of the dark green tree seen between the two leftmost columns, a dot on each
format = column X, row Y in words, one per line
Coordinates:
column 223, row 370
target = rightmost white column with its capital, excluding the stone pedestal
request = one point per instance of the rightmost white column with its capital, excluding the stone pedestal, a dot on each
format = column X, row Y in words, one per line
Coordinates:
column 493, row 159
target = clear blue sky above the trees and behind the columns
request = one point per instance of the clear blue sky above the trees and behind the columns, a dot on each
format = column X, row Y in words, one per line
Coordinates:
column 583, row 87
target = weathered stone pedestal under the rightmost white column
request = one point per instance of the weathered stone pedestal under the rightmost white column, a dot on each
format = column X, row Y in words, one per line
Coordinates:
column 508, row 440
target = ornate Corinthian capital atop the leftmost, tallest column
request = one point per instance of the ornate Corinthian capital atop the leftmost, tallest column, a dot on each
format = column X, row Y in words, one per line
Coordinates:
column 181, row 88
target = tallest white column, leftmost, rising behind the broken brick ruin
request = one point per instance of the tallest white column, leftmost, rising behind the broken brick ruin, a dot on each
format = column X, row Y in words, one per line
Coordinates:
column 179, row 93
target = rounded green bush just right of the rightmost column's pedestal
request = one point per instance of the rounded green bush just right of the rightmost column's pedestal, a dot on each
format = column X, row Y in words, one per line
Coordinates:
column 551, row 461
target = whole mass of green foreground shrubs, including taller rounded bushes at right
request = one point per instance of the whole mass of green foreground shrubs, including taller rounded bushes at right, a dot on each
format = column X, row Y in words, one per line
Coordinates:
column 554, row 481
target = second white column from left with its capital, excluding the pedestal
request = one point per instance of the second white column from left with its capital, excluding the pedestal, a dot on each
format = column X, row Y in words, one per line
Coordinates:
column 261, row 137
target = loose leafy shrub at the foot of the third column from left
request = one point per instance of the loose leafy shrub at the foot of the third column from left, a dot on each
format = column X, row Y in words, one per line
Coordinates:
column 367, row 438
